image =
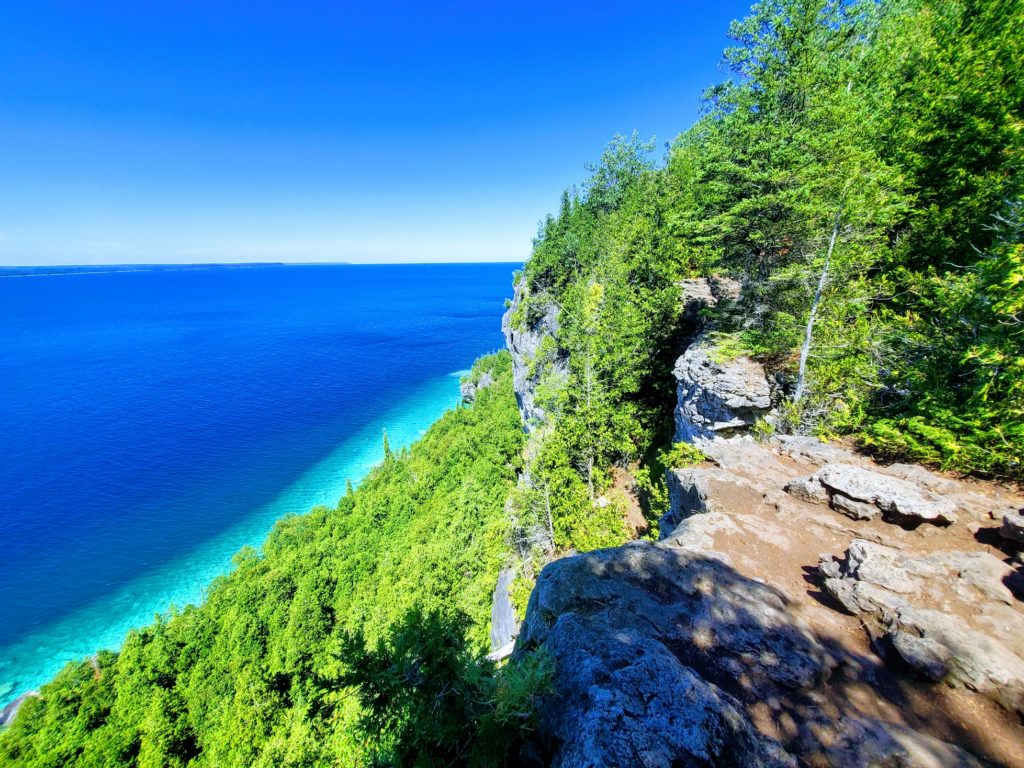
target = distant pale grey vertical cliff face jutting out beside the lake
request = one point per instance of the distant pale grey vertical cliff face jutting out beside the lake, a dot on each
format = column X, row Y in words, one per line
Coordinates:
column 533, row 344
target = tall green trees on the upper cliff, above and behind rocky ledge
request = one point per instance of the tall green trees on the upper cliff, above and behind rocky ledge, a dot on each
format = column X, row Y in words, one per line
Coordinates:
column 860, row 175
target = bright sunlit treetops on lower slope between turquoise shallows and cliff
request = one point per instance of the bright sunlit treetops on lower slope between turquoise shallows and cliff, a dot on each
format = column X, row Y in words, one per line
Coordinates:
column 255, row 676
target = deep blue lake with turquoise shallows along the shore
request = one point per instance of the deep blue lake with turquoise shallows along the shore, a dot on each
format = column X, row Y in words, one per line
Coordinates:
column 153, row 422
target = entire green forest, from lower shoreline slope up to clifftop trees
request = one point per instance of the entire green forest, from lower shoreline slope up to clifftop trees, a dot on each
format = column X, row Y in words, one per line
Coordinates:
column 858, row 172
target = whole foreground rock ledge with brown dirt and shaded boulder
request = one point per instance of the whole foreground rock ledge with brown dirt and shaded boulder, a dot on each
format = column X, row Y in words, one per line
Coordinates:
column 776, row 627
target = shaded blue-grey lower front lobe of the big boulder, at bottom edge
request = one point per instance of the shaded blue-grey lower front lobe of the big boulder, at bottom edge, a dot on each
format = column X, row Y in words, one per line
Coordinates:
column 629, row 701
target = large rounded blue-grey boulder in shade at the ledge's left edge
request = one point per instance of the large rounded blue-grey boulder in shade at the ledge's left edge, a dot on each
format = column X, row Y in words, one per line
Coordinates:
column 629, row 630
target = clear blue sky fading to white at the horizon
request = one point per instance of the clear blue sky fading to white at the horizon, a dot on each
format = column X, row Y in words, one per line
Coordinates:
column 315, row 132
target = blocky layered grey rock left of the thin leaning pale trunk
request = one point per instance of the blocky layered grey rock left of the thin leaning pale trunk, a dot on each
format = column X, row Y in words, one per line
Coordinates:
column 717, row 398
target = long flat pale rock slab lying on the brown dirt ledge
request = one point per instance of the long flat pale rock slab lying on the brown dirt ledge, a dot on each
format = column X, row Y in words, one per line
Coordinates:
column 864, row 494
